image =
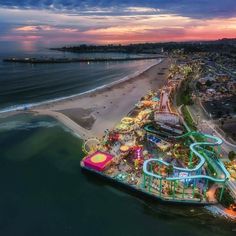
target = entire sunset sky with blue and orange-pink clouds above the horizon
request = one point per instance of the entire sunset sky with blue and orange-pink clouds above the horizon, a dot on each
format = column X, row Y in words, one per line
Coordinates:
column 59, row 22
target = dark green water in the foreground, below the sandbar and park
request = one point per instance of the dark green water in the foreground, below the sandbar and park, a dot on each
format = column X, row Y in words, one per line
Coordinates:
column 44, row 191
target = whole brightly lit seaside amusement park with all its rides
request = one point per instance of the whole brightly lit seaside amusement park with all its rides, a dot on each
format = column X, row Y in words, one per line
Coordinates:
column 152, row 152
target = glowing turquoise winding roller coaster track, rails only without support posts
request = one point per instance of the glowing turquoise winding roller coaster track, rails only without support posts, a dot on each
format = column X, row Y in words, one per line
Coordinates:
column 198, row 149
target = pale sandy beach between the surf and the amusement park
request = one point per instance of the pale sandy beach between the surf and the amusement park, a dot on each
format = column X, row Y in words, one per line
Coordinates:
column 89, row 115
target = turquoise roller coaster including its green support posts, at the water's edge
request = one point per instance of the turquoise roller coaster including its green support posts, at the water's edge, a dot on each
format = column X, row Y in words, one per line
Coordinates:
column 194, row 174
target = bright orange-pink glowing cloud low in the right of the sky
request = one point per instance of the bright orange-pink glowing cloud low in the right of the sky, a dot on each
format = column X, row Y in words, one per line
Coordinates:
column 165, row 28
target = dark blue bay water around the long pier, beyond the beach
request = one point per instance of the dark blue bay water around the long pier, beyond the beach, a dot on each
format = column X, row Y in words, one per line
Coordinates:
column 26, row 84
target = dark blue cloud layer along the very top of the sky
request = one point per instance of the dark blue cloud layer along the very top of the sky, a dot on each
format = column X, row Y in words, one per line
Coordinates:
column 191, row 8
